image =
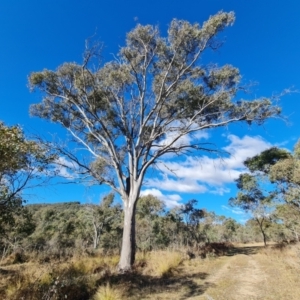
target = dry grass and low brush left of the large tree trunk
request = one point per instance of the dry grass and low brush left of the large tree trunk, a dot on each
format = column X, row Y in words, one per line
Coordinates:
column 75, row 279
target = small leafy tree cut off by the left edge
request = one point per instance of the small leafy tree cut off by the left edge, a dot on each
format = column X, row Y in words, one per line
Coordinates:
column 22, row 163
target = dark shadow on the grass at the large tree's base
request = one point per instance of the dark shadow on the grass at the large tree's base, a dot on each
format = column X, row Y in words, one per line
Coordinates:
column 139, row 286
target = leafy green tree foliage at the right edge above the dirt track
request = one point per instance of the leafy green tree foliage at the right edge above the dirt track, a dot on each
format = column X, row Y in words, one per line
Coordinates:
column 279, row 171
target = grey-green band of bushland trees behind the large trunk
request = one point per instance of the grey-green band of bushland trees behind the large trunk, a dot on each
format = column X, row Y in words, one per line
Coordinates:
column 72, row 226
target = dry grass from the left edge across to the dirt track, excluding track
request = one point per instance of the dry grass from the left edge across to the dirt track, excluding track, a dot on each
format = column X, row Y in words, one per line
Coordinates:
column 155, row 273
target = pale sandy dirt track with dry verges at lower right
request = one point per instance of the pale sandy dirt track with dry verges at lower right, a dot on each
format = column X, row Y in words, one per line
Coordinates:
column 252, row 273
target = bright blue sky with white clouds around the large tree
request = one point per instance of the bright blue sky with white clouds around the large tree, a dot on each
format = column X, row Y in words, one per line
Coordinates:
column 263, row 43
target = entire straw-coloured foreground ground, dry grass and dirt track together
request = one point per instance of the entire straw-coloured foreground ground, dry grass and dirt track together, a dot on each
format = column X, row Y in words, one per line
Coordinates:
column 160, row 275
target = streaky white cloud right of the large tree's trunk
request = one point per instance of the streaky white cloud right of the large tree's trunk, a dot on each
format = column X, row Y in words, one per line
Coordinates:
column 205, row 174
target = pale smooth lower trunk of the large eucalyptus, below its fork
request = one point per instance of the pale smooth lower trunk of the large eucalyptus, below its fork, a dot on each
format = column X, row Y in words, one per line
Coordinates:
column 128, row 241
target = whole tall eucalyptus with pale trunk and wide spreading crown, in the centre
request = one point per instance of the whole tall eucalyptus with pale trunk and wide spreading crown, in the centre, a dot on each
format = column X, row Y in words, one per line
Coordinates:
column 131, row 111
